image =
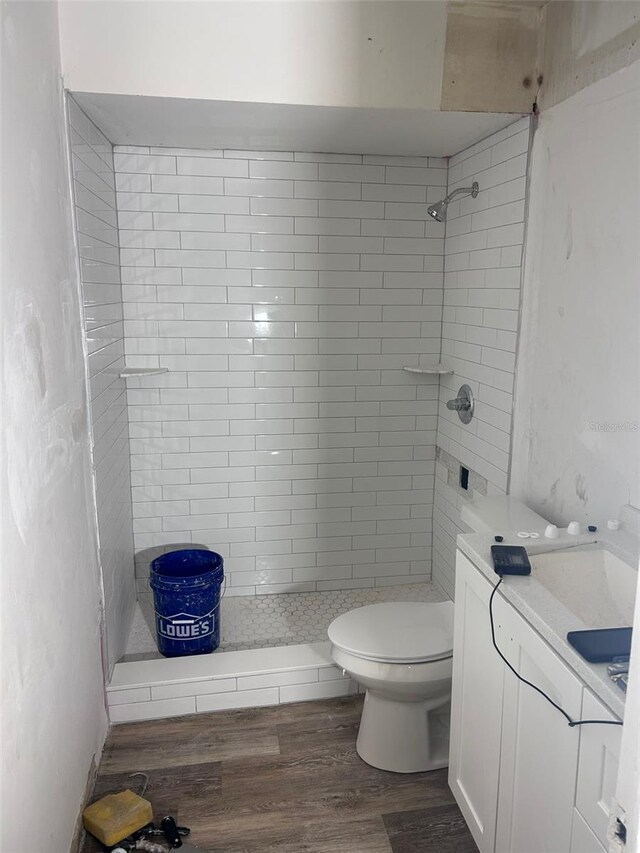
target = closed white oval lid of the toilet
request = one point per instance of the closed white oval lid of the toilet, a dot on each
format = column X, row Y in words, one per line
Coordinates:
column 396, row 631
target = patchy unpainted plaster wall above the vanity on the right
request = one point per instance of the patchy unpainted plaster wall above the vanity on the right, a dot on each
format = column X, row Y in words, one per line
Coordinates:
column 577, row 425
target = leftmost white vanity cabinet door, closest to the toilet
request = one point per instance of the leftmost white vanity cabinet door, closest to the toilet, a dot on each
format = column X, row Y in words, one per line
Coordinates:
column 476, row 719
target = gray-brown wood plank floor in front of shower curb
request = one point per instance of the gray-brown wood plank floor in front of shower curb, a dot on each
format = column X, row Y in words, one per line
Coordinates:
column 284, row 779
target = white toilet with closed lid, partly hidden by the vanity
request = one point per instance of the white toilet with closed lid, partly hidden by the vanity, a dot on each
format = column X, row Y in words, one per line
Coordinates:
column 402, row 653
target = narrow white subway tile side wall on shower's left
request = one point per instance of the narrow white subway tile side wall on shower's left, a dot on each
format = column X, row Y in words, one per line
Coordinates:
column 97, row 235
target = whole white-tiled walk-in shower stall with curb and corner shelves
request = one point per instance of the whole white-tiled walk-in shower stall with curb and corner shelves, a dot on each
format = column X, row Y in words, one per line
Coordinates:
column 249, row 316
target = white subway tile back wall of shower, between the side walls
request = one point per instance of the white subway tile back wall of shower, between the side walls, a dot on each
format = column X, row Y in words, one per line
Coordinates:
column 284, row 292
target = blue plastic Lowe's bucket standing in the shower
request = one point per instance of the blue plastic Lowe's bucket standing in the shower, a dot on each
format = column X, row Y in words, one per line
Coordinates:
column 186, row 592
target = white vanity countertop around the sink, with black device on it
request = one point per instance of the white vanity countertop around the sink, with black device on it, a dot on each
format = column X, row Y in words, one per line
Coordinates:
column 545, row 613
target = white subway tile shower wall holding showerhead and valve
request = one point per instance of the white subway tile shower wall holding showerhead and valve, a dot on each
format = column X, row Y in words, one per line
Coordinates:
column 483, row 253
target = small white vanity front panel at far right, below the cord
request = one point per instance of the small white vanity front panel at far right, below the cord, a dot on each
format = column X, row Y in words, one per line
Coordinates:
column 597, row 766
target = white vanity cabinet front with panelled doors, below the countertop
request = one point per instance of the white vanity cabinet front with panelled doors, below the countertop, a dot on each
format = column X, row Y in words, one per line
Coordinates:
column 525, row 781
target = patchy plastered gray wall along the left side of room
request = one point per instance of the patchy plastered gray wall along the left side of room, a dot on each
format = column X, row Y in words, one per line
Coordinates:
column 53, row 715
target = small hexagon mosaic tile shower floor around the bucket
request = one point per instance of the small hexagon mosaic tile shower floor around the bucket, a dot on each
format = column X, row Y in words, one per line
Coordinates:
column 262, row 621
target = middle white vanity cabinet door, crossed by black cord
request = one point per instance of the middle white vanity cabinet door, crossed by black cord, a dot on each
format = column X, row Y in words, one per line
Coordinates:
column 539, row 756
